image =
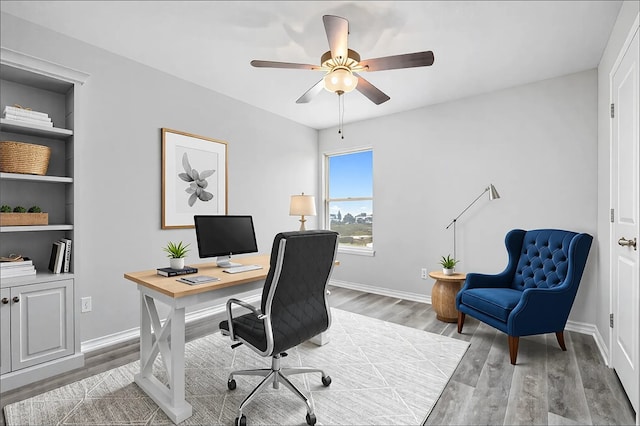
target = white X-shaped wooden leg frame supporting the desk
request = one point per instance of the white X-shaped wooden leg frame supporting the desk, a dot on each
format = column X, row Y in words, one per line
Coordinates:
column 169, row 343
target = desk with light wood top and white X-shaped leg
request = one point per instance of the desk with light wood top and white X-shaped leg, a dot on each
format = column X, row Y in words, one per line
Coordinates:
column 168, row 339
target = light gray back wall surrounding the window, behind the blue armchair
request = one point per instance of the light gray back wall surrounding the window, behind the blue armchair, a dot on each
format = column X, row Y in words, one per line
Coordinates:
column 536, row 143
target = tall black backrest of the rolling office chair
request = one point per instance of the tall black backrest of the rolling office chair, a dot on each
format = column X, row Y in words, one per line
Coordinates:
column 295, row 291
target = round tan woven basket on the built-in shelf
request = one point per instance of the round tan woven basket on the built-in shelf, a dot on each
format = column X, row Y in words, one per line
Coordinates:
column 20, row 157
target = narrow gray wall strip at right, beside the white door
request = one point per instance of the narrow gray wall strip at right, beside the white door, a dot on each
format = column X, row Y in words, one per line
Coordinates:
column 628, row 13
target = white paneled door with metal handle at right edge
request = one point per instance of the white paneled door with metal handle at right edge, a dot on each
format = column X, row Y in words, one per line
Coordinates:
column 625, row 262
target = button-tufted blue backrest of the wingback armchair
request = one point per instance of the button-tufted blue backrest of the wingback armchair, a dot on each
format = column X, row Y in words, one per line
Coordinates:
column 544, row 257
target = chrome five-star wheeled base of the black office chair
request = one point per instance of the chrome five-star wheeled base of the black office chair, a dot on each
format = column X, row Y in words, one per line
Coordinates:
column 274, row 376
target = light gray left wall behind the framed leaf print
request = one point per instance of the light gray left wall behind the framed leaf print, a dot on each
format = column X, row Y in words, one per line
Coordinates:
column 118, row 166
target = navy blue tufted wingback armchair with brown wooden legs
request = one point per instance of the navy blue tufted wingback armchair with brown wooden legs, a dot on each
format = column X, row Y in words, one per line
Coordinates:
column 535, row 292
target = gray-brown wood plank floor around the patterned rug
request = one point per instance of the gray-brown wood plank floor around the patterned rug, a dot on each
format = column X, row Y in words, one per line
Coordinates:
column 548, row 386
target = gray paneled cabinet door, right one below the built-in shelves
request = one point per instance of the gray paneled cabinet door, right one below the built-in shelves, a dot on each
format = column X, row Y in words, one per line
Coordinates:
column 41, row 323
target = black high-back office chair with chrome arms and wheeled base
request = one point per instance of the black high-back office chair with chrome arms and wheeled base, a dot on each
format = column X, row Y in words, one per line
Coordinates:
column 294, row 308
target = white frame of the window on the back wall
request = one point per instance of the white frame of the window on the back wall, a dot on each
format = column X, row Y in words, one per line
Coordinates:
column 362, row 251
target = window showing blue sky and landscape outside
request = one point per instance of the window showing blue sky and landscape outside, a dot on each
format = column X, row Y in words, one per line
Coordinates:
column 349, row 199
